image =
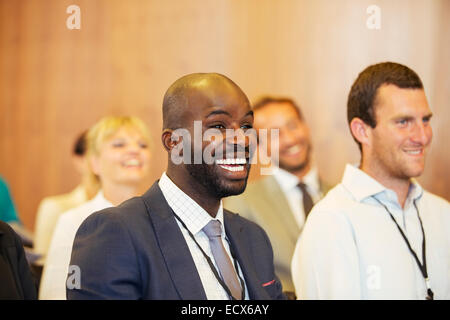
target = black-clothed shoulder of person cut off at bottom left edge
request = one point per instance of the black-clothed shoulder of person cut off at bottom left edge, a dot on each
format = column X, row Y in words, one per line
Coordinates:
column 16, row 281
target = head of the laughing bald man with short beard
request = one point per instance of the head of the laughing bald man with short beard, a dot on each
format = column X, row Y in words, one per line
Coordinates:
column 206, row 118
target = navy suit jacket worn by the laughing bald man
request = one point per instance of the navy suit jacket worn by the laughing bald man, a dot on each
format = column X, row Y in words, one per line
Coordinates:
column 137, row 251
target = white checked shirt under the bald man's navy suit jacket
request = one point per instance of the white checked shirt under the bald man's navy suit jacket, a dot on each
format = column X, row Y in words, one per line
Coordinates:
column 195, row 218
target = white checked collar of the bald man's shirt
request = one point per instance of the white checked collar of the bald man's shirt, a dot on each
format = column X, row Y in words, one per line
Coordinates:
column 189, row 211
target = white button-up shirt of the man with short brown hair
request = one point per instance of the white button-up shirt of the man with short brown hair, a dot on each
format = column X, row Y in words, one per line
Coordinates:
column 351, row 249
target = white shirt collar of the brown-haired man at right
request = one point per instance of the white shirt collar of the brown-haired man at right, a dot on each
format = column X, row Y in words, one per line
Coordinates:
column 363, row 186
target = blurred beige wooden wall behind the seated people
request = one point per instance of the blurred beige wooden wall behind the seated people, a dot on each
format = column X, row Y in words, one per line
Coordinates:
column 55, row 82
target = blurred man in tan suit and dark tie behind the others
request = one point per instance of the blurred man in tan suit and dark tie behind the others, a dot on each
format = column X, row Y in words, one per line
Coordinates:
column 281, row 202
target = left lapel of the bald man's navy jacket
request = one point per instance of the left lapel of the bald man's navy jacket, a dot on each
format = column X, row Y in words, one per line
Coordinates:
column 173, row 246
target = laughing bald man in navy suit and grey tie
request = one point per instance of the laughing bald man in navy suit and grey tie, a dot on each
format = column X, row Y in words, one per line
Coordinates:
column 177, row 241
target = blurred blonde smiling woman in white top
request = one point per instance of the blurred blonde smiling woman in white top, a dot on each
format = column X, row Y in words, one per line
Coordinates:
column 119, row 156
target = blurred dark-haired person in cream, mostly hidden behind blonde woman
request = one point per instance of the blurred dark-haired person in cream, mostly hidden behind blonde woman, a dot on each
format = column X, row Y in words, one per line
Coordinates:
column 52, row 207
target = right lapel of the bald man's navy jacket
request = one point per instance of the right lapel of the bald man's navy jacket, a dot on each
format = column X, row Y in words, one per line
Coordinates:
column 235, row 233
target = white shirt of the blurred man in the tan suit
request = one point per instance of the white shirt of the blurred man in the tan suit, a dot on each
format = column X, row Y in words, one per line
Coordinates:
column 289, row 185
